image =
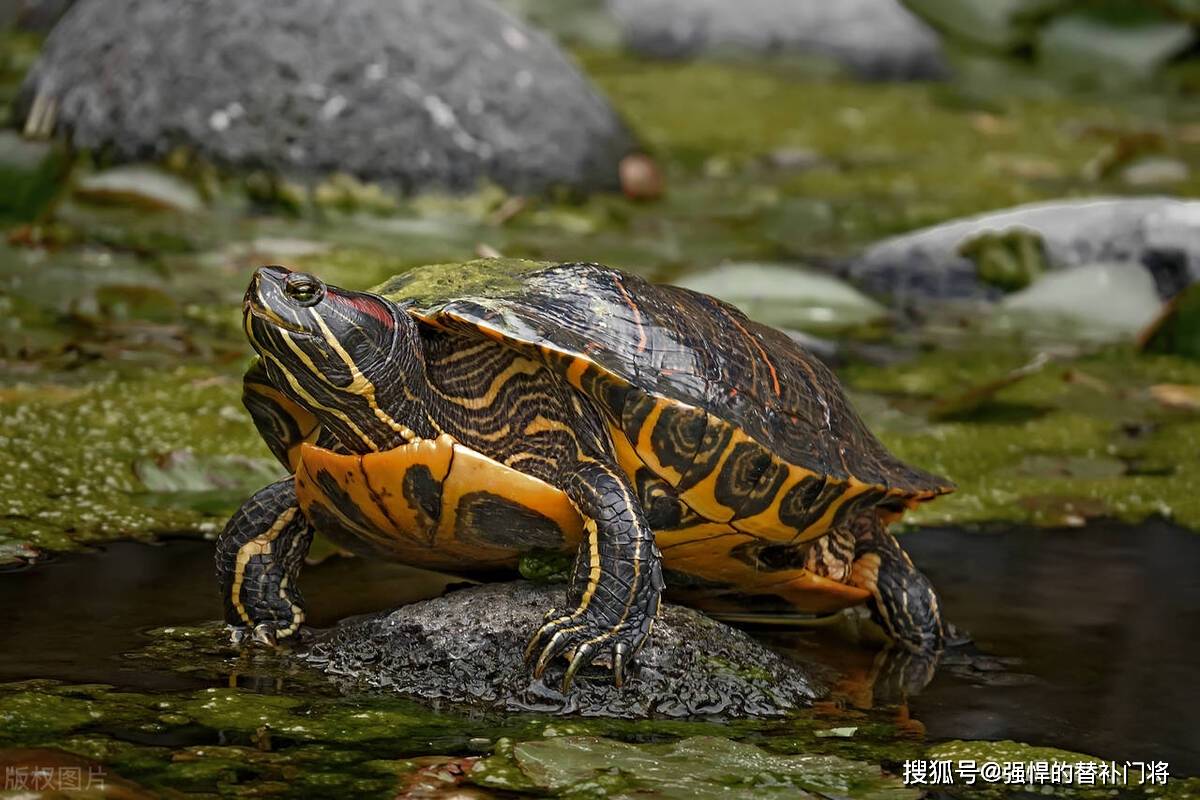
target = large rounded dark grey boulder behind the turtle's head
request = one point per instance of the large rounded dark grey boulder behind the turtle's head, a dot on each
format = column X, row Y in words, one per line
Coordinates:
column 413, row 93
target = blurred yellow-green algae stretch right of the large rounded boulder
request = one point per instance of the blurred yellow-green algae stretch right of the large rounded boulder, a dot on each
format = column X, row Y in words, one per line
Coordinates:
column 897, row 157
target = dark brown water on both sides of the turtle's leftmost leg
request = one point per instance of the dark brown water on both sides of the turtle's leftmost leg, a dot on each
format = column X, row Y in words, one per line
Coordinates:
column 73, row 618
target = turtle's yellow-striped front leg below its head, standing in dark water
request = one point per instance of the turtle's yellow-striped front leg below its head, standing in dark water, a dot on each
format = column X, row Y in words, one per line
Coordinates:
column 260, row 555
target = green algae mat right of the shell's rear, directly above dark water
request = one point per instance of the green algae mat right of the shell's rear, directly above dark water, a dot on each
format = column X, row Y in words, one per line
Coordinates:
column 1078, row 440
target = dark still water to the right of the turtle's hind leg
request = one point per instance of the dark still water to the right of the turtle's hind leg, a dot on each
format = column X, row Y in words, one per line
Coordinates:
column 1102, row 623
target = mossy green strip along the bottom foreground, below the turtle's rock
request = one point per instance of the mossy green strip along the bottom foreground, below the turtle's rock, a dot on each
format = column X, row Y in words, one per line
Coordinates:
column 307, row 743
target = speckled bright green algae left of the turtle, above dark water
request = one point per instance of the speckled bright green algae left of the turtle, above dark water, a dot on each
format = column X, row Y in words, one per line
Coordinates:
column 73, row 452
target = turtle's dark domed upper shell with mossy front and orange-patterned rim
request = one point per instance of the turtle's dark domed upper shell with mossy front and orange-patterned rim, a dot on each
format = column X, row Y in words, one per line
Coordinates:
column 746, row 428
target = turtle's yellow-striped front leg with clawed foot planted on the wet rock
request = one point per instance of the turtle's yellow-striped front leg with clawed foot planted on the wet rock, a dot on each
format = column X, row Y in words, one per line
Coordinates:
column 619, row 597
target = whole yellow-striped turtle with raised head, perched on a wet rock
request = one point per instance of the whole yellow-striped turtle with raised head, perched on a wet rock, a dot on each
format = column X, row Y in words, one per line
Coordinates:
column 461, row 418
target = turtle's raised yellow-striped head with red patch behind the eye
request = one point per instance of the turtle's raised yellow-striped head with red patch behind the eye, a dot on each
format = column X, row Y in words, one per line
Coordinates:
column 344, row 356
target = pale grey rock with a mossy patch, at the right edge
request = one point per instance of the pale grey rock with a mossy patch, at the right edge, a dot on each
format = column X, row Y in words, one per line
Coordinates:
column 1160, row 234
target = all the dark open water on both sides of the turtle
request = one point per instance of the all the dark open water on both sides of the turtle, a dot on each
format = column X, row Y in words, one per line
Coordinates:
column 1084, row 640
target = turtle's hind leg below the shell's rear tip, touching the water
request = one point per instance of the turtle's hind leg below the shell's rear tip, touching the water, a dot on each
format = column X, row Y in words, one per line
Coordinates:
column 903, row 600
